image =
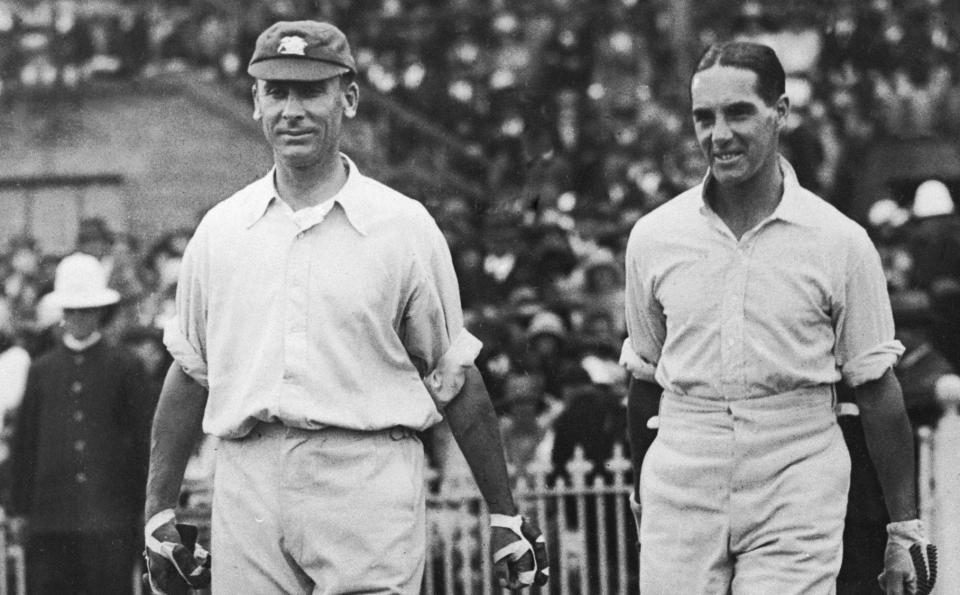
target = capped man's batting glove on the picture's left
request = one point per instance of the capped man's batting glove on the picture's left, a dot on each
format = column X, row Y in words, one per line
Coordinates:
column 176, row 563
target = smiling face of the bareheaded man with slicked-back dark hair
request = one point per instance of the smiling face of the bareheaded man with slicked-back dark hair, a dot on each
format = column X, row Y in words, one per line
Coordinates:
column 737, row 131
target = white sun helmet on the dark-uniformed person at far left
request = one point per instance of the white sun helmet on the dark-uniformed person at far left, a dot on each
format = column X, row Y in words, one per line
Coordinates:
column 81, row 282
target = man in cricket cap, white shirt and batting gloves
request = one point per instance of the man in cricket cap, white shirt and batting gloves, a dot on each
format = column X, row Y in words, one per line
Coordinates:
column 318, row 332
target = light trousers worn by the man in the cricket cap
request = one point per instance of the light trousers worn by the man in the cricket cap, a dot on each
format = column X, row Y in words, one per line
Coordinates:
column 324, row 512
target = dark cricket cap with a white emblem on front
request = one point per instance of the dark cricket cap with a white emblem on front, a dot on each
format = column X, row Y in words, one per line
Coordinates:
column 301, row 51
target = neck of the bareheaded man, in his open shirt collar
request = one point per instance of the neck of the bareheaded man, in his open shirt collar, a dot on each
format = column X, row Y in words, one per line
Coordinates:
column 743, row 206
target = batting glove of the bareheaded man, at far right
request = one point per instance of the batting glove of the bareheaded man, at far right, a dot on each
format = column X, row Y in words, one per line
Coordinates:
column 909, row 562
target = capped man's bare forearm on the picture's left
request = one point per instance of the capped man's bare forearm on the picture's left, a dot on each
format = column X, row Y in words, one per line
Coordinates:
column 176, row 429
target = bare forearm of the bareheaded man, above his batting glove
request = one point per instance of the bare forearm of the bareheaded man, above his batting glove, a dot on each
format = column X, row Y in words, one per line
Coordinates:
column 890, row 442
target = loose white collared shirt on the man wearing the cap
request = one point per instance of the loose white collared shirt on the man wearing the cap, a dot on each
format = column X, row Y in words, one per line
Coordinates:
column 330, row 315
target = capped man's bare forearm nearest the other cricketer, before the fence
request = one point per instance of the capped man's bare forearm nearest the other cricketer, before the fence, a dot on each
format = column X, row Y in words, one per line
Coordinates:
column 474, row 426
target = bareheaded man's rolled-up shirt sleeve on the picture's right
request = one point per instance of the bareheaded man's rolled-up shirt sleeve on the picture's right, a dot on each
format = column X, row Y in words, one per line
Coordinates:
column 866, row 347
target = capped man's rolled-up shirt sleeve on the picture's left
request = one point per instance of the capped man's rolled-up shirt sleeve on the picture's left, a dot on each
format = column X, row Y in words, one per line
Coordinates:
column 185, row 334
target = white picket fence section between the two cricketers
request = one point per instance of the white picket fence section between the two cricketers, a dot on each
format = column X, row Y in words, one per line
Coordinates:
column 588, row 527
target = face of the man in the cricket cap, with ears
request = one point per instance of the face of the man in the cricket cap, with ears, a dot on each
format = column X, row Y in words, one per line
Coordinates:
column 303, row 120
